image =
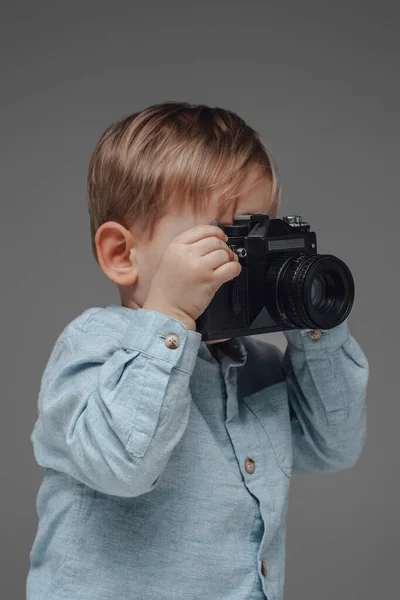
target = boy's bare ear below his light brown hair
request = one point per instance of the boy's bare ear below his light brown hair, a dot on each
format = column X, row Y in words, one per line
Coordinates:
column 116, row 253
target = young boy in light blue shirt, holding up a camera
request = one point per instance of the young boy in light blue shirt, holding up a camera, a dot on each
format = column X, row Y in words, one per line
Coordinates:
column 167, row 460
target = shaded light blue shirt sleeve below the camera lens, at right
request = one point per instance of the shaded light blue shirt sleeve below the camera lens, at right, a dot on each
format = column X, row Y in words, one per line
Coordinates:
column 327, row 383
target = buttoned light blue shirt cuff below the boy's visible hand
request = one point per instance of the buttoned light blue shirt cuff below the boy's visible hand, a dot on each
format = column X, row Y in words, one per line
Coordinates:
column 149, row 328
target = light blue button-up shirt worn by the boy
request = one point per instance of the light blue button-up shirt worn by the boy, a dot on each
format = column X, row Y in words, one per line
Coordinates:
column 166, row 471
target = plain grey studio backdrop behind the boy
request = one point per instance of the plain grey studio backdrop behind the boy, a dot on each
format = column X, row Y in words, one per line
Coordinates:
column 320, row 82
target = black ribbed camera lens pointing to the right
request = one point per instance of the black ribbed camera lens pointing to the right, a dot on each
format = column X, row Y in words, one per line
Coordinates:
column 309, row 291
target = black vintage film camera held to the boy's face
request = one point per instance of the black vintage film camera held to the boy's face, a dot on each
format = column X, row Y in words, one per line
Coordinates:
column 283, row 284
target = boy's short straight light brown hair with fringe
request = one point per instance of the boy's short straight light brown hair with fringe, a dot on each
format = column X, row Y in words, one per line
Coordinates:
column 171, row 154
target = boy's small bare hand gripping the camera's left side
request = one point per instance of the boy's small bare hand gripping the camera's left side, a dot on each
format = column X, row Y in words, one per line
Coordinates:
column 194, row 265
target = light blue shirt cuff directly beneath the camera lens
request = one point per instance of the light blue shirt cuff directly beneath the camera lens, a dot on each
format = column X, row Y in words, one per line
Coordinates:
column 330, row 339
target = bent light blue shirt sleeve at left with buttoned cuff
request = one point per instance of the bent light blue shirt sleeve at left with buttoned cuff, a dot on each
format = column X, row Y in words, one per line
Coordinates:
column 112, row 409
